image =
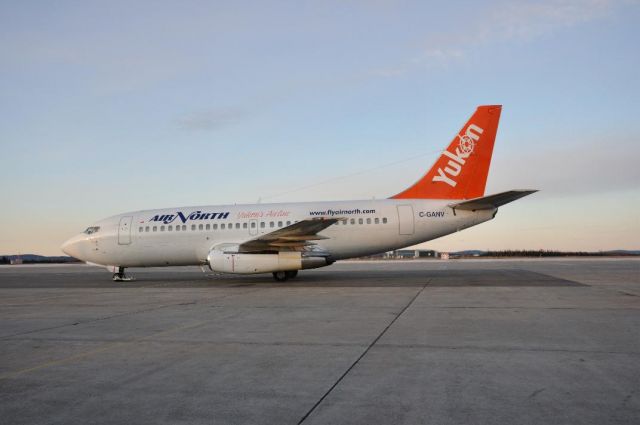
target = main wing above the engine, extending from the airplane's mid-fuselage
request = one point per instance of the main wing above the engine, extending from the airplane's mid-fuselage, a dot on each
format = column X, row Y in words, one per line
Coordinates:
column 295, row 237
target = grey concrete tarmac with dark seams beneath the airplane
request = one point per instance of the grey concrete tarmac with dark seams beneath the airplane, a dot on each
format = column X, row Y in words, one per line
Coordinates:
column 406, row 342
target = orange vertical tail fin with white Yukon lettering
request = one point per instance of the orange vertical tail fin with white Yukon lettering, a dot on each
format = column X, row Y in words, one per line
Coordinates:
column 462, row 169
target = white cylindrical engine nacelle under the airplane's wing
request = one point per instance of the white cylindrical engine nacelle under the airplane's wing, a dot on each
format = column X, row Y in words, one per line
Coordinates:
column 245, row 263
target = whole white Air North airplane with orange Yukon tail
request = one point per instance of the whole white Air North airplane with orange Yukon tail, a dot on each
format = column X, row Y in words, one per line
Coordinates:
column 284, row 238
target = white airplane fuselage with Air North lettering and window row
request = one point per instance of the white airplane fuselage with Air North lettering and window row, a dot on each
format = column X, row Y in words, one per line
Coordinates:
column 186, row 235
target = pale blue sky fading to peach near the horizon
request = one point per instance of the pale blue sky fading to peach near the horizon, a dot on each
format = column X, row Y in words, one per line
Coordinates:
column 109, row 107
